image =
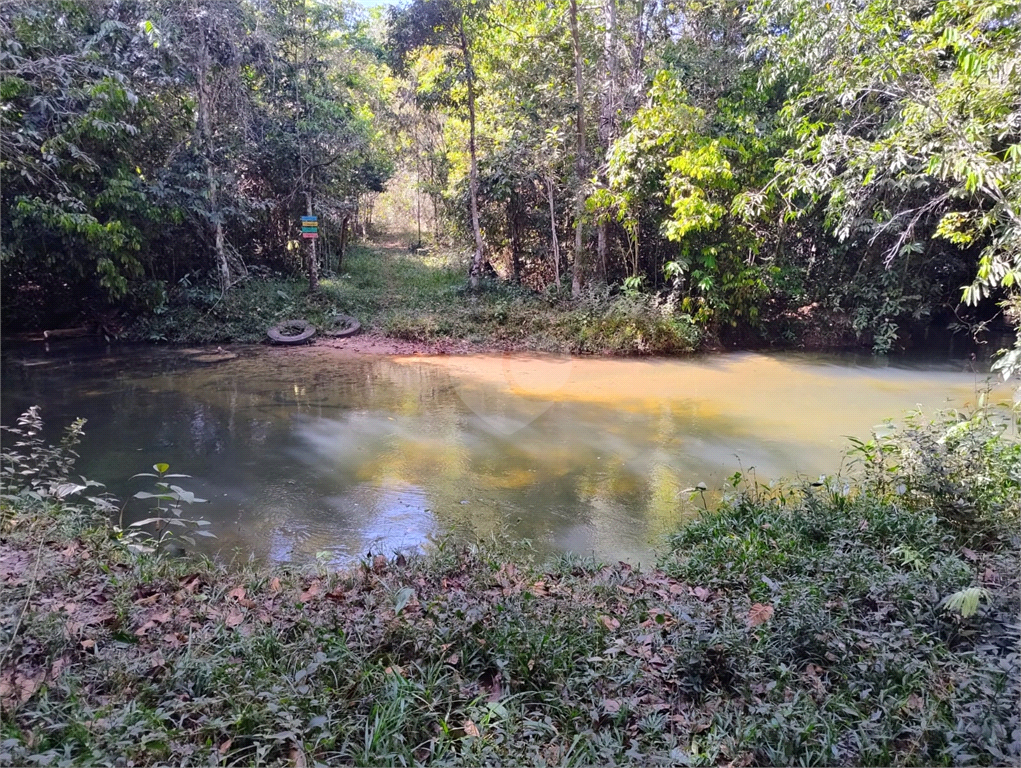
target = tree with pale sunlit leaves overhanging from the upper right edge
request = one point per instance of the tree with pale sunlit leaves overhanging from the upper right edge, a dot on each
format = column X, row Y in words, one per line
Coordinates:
column 905, row 117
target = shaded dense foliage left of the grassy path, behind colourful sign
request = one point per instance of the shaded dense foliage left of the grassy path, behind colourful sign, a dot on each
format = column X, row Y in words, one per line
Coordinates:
column 151, row 145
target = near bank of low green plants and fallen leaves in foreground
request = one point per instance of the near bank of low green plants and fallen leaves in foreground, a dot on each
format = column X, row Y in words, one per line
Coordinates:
column 862, row 621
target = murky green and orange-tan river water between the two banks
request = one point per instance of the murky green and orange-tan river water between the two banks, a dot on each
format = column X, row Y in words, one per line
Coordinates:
column 314, row 452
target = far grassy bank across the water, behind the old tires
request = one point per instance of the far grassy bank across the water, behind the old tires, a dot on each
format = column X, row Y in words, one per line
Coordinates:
column 420, row 297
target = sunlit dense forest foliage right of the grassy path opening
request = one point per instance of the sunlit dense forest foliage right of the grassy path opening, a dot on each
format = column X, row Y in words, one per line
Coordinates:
column 858, row 162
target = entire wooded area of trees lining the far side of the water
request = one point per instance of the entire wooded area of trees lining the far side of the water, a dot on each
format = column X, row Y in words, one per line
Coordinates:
column 739, row 161
